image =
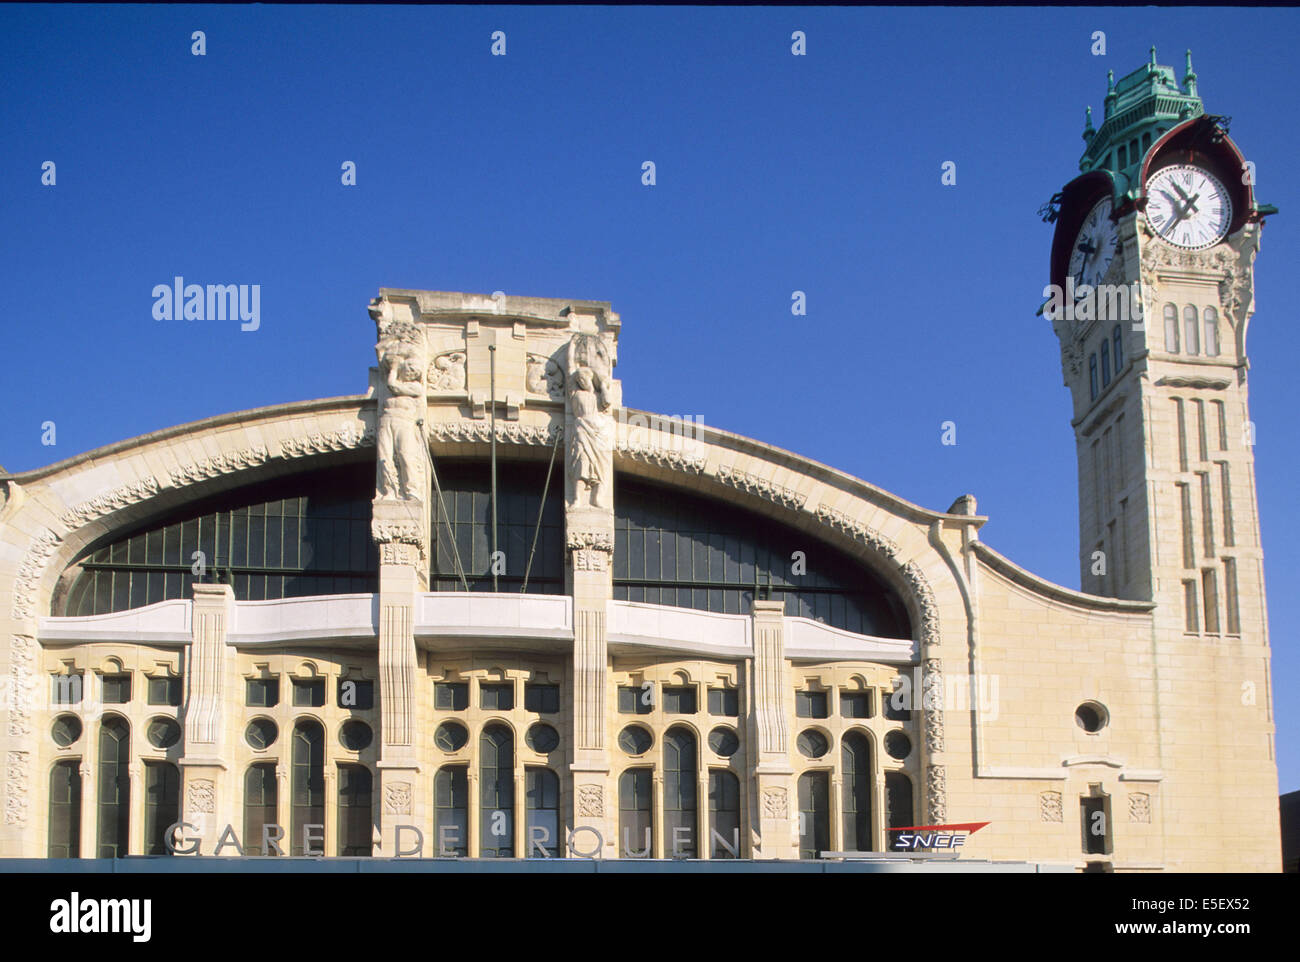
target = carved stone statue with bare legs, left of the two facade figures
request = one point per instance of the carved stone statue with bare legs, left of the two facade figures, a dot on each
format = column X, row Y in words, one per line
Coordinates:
column 401, row 441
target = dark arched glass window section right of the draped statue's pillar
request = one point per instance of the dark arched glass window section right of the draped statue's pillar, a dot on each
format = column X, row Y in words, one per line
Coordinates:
column 697, row 553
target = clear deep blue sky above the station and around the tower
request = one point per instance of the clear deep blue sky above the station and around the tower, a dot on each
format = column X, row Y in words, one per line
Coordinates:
column 523, row 174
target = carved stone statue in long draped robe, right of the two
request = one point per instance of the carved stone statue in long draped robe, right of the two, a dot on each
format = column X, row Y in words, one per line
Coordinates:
column 592, row 445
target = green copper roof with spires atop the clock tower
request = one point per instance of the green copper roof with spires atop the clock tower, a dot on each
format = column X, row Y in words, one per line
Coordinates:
column 1138, row 111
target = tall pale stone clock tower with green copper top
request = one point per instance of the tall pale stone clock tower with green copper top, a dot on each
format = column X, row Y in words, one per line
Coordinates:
column 1154, row 258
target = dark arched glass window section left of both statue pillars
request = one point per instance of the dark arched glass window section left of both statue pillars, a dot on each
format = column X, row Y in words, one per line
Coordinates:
column 287, row 539
